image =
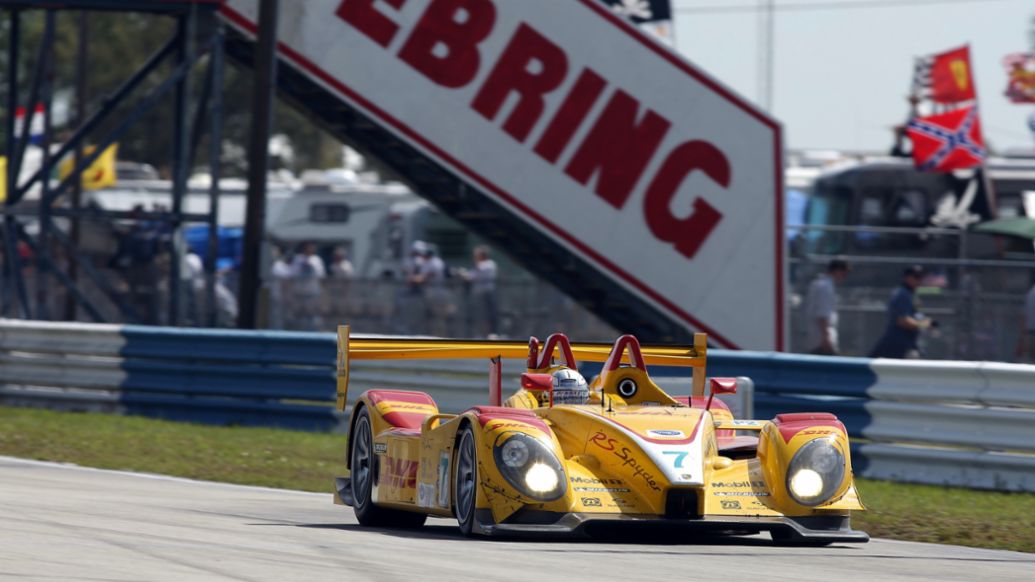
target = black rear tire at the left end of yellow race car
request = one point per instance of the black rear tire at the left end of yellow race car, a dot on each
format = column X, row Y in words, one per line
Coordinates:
column 365, row 465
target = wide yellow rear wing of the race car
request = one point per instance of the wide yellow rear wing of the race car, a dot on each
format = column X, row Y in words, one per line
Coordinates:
column 394, row 348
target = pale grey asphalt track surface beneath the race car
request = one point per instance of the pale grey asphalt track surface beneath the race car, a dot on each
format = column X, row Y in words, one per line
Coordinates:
column 61, row 522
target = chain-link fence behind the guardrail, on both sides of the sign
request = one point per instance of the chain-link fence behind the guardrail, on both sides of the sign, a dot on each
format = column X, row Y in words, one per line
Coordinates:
column 978, row 304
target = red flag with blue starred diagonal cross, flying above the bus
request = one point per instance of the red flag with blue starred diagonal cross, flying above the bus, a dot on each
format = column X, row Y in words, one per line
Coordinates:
column 949, row 141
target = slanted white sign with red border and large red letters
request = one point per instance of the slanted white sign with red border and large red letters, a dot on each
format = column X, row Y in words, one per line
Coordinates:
column 603, row 140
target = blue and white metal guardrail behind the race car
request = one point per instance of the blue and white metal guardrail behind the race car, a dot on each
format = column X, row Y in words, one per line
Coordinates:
column 967, row 424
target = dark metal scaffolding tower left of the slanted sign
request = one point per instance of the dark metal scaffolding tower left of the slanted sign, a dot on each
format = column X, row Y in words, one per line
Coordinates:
column 198, row 41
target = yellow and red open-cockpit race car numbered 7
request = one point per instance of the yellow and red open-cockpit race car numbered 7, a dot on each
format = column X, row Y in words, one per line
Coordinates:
column 565, row 456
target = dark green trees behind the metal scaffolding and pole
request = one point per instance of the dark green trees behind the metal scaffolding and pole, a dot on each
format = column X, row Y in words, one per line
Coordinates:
column 120, row 44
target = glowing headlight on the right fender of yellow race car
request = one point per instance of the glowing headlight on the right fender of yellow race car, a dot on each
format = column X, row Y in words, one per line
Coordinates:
column 816, row 473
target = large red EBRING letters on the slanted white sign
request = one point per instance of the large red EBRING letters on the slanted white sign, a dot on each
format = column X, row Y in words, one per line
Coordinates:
column 446, row 47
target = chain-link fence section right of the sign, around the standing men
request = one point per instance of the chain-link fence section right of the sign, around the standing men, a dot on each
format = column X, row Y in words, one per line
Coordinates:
column 974, row 289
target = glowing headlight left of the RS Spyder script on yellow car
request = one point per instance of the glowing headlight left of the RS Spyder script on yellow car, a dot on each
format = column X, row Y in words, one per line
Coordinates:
column 530, row 468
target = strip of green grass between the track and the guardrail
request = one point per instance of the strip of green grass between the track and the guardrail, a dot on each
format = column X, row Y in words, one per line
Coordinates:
column 309, row 461
